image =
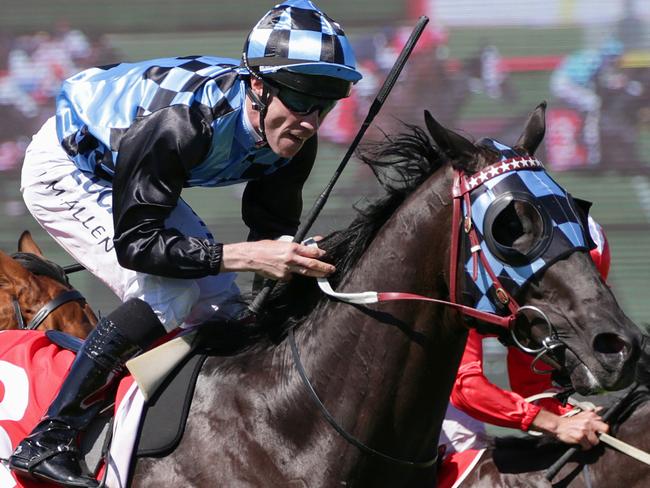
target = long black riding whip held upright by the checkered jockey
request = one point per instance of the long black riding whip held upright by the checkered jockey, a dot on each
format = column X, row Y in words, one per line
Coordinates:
column 262, row 296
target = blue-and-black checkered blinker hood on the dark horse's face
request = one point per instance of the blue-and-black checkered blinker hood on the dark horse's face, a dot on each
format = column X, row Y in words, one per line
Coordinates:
column 524, row 222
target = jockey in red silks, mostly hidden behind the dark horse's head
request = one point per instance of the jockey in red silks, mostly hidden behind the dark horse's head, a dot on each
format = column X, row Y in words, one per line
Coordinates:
column 475, row 396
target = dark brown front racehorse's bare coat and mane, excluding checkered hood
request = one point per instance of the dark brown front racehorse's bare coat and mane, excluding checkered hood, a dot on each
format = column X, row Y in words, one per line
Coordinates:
column 384, row 373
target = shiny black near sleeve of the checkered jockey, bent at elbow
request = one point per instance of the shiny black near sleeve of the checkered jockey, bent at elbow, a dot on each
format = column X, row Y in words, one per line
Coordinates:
column 155, row 156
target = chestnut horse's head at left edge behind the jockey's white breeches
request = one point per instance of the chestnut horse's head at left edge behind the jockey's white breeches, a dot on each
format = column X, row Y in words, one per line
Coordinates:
column 41, row 298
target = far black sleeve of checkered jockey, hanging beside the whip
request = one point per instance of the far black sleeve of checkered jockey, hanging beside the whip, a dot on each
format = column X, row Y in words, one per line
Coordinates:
column 272, row 205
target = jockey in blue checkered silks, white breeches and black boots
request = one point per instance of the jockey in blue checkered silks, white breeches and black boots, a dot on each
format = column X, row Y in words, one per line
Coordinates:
column 104, row 178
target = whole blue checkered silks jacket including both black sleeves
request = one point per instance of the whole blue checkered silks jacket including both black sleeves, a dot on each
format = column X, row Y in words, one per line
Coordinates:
column 155, row 127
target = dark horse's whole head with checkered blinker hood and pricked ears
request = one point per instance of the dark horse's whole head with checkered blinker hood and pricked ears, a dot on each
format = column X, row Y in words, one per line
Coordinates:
column 525, row 254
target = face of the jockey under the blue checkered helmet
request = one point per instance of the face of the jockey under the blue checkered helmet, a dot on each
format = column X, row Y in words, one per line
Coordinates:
column 286, row 131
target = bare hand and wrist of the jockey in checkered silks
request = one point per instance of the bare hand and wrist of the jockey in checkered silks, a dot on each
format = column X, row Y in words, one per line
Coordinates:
column 275, row 259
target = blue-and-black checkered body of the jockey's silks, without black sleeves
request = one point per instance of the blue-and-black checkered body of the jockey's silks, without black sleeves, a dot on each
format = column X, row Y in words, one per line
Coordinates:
column 99, row 106
